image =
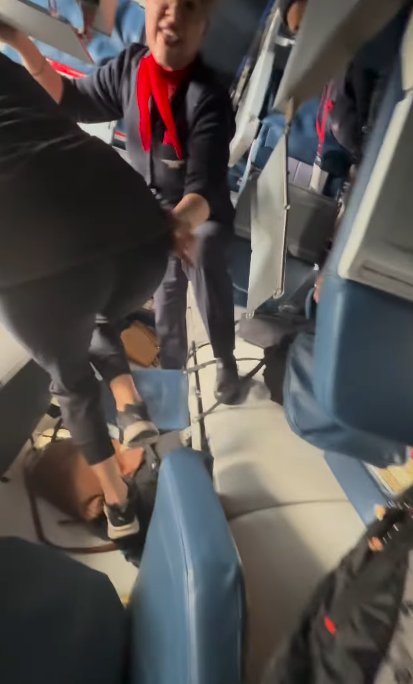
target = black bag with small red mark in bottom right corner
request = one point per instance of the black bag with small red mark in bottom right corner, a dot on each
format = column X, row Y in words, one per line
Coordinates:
column 358, row 627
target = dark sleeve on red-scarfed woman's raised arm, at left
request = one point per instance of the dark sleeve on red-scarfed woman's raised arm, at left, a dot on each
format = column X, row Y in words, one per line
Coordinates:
column 98, row 97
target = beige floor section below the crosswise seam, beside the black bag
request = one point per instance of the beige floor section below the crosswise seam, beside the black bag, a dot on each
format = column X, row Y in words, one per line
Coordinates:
column 285, row 552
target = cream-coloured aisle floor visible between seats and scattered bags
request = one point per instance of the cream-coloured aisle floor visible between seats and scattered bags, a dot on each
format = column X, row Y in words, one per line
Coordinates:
column 290, row 519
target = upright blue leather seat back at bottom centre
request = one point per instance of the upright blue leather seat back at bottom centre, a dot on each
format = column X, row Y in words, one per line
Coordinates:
column 187, row 609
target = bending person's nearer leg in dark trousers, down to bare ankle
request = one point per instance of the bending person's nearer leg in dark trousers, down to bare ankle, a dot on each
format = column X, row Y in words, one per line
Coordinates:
column 54, row 319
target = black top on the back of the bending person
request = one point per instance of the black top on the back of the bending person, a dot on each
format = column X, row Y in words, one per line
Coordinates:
column 65, row 197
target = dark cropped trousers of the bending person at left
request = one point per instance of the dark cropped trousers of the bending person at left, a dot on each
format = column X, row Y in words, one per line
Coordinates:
column 69, row 321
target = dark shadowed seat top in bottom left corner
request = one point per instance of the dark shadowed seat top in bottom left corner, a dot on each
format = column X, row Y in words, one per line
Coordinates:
column 60, row 622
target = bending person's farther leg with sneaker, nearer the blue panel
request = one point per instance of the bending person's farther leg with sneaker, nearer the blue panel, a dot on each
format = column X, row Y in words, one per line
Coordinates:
column 139, row 273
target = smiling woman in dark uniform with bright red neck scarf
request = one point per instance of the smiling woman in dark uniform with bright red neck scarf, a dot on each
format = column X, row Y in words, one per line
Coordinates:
column 179, row 124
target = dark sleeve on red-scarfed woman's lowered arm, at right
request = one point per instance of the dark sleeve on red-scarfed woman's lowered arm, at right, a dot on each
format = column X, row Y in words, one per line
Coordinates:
column 212, row 129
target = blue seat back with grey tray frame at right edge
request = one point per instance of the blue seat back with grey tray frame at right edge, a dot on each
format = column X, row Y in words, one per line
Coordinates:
column 363, row 359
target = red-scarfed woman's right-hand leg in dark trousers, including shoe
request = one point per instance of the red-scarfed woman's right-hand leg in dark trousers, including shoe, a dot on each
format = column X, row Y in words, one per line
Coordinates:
column 214, row 296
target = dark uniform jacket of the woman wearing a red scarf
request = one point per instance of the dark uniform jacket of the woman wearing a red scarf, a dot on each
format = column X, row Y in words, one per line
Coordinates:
column 205, row 131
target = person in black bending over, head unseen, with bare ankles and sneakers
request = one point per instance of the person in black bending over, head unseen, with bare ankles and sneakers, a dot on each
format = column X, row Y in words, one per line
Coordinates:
column 83, row 243
